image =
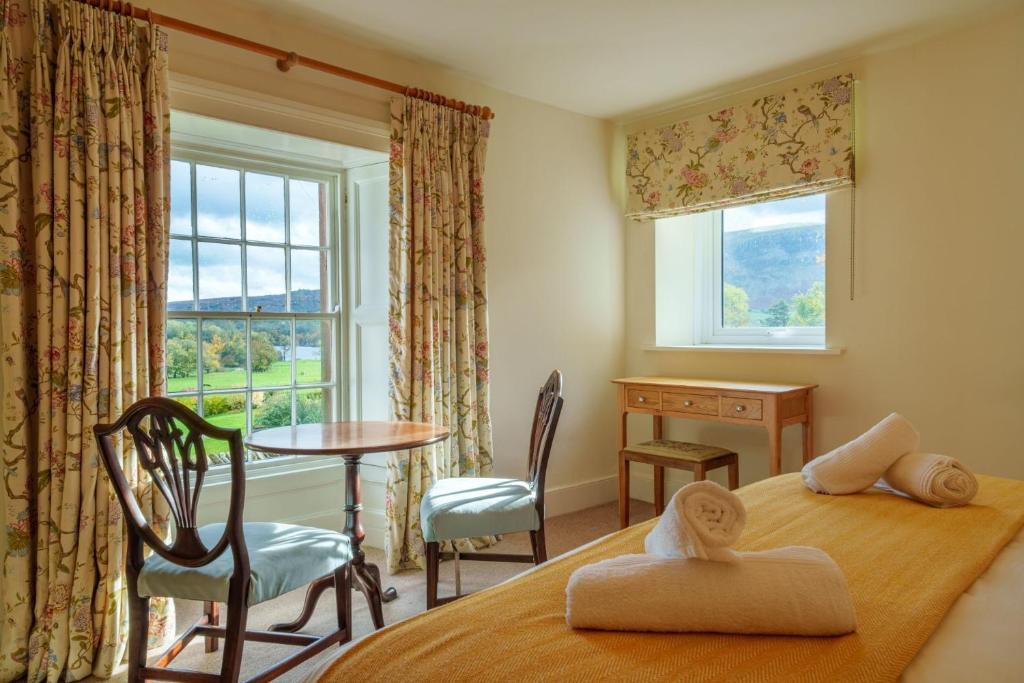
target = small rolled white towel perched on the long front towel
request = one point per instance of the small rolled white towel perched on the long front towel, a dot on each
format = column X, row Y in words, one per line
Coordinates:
column 702, row 521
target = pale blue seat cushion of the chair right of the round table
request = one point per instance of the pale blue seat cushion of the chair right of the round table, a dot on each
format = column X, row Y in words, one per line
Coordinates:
column 471, row 507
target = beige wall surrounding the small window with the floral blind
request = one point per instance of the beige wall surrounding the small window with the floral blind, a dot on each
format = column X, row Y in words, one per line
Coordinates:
column 936, row 328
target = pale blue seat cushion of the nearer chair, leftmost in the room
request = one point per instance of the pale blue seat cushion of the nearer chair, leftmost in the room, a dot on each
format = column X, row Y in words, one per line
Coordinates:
column 282, row 559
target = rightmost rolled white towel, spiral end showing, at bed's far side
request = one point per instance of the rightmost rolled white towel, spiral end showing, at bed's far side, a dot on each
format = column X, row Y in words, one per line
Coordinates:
column 938, row 481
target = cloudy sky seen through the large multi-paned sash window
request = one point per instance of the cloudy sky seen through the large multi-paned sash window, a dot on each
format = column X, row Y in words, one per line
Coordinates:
column 220, row 215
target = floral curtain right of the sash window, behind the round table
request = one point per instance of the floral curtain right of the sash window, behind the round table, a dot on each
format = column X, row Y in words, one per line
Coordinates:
column 439, row 310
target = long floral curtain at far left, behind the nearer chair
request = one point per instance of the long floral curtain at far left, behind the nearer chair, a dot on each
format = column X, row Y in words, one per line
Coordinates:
column 83, row 250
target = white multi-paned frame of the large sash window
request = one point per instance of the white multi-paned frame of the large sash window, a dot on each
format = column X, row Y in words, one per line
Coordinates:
column 230, row 157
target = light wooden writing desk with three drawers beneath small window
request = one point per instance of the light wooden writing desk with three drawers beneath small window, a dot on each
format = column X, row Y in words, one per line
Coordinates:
column 774, row 407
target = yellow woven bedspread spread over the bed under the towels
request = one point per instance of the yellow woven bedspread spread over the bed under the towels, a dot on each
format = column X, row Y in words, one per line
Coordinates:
column 906, row 563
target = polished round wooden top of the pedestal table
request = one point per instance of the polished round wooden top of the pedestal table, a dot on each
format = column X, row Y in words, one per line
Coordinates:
column 346, row 439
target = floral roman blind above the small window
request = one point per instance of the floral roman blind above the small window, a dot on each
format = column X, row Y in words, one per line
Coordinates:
column 796, row 143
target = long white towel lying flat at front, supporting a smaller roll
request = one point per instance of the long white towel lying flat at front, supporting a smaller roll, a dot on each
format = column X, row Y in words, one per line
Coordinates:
column 792, row 591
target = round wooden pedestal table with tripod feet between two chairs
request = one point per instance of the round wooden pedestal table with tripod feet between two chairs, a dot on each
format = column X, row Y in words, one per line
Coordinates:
column 350, row 441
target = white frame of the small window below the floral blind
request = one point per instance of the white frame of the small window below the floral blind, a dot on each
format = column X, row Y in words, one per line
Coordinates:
column 710, row 328
